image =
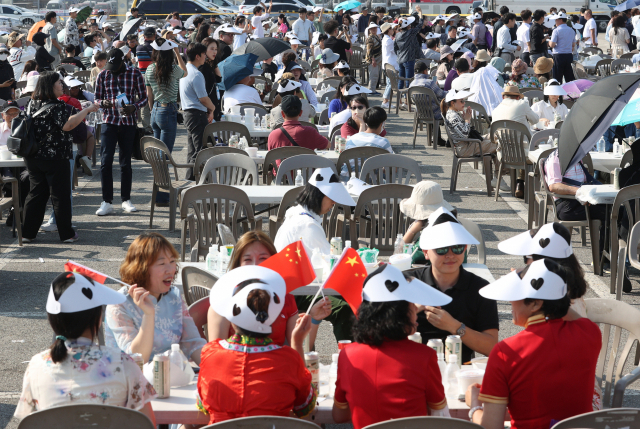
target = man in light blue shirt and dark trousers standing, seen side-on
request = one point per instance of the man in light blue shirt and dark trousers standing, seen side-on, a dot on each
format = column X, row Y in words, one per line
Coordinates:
column 196, row 104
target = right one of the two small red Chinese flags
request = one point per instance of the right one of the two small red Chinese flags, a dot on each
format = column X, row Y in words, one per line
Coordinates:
column 347, row 278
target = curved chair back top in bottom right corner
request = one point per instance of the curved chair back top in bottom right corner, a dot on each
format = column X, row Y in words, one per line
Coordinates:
column 617, row 418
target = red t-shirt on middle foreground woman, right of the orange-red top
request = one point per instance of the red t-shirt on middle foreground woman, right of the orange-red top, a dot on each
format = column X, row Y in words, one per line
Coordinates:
column 398, row 379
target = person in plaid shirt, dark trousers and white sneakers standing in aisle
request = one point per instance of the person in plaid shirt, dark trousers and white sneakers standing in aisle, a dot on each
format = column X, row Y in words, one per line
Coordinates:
column 116, row 89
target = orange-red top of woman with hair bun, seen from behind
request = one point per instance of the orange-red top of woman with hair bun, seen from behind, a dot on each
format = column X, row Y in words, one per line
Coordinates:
column 253, row 380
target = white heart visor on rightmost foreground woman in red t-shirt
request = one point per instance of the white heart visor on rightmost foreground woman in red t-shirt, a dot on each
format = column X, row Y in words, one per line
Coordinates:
column 536, row 281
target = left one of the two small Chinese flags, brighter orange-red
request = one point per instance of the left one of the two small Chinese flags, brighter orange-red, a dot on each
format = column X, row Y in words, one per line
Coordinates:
column 293, row 264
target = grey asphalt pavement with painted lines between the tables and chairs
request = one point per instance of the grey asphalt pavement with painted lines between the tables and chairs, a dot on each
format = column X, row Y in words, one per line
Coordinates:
column 26, row 272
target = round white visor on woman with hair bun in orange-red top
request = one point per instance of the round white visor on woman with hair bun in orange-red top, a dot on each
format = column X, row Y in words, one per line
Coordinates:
column 229, row 297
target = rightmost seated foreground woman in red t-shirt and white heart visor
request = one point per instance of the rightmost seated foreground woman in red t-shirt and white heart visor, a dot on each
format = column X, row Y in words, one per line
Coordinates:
column 547, row 345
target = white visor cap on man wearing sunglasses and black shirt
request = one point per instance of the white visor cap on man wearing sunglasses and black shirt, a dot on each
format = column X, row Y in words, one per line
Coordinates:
column 443, row 230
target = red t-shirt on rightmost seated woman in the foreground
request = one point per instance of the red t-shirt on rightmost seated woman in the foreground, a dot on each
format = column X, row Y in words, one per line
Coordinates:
column 545, row 372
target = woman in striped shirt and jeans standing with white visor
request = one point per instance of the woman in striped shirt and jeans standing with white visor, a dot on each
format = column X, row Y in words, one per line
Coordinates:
column 161, row 79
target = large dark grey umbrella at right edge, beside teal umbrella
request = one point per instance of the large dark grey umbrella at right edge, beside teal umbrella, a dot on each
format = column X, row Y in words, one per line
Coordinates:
column 592, row 114
